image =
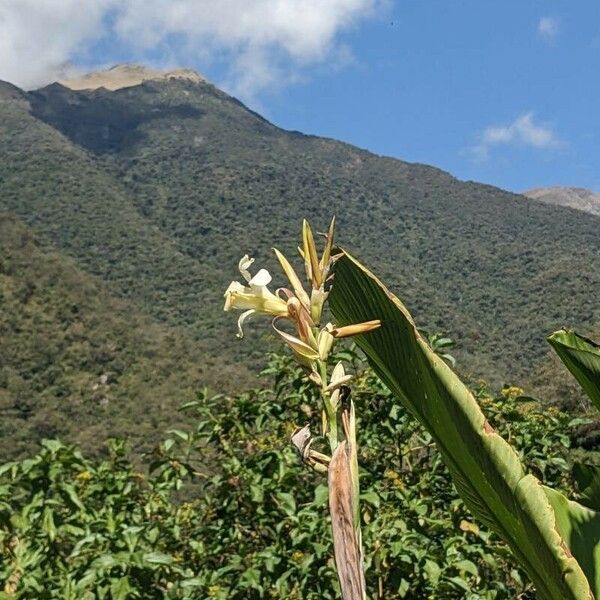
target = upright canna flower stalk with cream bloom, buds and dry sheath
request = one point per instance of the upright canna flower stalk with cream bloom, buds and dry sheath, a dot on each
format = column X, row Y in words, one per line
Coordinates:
column 311, row 343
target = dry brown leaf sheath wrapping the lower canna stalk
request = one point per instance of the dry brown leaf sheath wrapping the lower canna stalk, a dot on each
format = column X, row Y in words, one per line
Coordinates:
column 345, row 537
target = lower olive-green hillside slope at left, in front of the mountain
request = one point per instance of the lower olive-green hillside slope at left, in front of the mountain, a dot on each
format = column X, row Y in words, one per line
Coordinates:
column 78, row 362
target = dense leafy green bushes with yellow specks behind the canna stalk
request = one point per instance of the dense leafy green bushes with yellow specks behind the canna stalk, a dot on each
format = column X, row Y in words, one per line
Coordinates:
column 252, row 524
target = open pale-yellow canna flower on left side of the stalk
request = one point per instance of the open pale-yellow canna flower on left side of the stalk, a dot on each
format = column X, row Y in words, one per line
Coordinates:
column 254, row 297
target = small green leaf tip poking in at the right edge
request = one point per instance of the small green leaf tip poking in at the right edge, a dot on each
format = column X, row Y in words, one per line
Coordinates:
column 582, row 357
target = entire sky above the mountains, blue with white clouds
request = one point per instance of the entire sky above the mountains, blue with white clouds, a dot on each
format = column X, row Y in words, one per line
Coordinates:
column 500, row 92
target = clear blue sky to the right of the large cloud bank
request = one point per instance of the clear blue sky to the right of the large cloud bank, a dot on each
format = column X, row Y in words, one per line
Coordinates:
column 431, row 78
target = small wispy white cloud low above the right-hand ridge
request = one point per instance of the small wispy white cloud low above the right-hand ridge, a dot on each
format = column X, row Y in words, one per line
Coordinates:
column 523, row 131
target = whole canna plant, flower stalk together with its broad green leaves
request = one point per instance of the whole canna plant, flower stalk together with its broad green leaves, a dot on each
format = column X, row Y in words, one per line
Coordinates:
column 556, row 540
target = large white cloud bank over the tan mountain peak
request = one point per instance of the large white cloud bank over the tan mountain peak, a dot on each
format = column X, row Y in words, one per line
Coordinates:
column 263, row 42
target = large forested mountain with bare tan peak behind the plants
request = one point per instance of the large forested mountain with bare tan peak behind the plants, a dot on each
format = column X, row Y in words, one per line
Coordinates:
column 156, row 189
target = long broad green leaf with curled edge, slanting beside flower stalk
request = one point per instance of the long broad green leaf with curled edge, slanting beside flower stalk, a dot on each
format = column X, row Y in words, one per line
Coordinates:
column 486, row 470
